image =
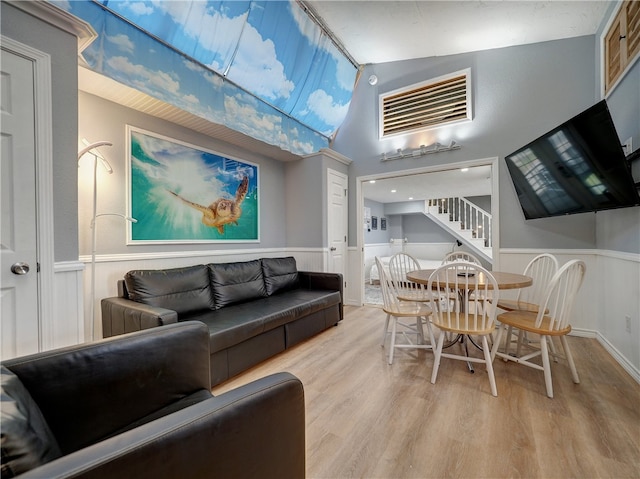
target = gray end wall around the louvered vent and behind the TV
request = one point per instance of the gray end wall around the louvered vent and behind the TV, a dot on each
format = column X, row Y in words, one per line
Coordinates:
column 518, row 93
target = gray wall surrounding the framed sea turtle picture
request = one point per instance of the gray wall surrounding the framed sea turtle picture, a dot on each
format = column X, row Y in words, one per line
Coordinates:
column 104, row 120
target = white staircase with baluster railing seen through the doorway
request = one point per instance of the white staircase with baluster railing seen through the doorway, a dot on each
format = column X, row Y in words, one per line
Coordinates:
column 469, row 223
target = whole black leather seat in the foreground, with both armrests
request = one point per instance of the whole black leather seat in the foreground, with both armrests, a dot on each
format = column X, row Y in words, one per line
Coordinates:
column 140, row 405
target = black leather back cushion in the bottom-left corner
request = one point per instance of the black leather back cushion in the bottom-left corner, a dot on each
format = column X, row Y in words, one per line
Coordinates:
column 26, row 440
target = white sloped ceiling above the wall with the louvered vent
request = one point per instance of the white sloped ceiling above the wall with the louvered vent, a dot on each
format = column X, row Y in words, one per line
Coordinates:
column 387, row 31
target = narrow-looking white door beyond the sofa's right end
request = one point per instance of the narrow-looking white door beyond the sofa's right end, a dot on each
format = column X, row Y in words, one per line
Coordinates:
column 337, row 221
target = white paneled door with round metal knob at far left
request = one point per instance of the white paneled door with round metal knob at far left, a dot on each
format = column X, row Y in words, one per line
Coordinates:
column 19, row 323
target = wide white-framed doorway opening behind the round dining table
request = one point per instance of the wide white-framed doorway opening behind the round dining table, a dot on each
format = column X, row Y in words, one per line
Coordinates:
column 402, row 199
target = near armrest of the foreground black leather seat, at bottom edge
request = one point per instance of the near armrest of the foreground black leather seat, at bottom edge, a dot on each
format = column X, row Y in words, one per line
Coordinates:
column 256, row 430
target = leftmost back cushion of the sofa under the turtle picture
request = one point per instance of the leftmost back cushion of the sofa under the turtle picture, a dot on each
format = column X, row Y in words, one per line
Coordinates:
column 183, row 290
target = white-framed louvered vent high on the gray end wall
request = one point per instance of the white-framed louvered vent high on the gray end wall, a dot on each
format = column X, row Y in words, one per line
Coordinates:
column 437, row 102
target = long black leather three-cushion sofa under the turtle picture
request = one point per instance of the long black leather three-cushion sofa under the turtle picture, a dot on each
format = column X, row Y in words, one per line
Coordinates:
column 253, row 309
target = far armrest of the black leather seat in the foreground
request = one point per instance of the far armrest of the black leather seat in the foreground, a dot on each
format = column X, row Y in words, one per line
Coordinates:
column 89, row 391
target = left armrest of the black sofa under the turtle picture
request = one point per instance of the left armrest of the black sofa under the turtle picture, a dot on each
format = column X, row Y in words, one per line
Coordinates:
column 121, row 315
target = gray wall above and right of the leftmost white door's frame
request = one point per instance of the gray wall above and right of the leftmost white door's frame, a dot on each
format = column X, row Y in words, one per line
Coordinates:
column 63, row 49
